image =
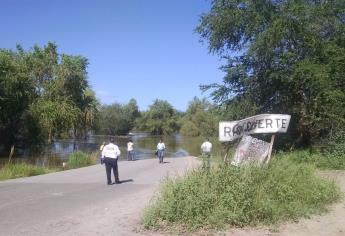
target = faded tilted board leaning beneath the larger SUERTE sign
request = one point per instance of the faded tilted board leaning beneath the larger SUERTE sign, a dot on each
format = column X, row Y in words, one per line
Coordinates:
column 250, row 150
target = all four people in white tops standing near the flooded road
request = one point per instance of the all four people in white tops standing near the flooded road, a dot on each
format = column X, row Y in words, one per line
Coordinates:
column 111, row 152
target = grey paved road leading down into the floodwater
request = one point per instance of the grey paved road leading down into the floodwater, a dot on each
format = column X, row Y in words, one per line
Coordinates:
column 78, row 202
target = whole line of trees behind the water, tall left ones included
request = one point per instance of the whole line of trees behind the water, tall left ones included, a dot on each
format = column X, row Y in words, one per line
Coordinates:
column 46, row 95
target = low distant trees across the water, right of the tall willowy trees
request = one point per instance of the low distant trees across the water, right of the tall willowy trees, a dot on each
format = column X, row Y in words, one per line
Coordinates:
column 201, row 118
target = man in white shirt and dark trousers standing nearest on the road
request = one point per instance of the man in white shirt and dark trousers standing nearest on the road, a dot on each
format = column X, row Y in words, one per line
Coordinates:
column 110, row 154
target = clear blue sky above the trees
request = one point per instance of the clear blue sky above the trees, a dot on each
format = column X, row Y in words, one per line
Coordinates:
column 141, row 49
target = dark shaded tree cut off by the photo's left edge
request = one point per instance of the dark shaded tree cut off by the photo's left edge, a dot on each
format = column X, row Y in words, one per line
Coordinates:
column 17, row 91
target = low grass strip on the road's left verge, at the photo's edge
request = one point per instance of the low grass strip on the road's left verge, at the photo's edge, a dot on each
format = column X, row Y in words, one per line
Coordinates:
column 11, row 171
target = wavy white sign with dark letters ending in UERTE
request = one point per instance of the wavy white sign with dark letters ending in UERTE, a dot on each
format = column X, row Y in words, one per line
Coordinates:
column 260, row 124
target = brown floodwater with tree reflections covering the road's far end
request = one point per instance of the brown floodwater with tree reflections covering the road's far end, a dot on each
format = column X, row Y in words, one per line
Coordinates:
column 144, row 145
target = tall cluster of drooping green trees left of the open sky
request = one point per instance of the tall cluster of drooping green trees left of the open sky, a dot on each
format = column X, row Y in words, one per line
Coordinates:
column 43, row 94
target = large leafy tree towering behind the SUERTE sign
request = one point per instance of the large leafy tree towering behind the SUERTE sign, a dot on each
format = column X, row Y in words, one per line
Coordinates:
column 283, row 57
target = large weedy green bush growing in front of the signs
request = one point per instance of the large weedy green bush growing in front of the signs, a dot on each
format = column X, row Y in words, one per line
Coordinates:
column 244, row 196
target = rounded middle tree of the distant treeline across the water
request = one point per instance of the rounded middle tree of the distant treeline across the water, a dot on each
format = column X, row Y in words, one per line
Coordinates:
column 161, row 118
